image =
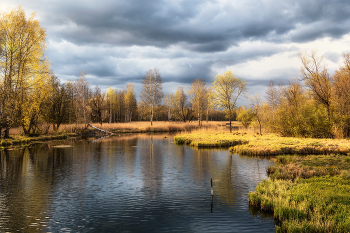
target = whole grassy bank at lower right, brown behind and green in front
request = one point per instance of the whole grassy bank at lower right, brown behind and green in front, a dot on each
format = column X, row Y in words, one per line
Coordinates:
column 307, row 193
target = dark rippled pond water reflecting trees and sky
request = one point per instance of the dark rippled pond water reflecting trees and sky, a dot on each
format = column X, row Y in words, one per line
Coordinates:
column 137, row 183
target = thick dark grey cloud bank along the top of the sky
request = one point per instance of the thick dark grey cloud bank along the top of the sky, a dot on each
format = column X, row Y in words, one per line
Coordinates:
column 205, row 26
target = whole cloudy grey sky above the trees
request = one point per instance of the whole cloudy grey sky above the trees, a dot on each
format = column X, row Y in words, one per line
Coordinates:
column 116, row 41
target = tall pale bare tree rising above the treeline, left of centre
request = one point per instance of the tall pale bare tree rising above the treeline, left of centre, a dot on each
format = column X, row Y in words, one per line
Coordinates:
column 151, row 93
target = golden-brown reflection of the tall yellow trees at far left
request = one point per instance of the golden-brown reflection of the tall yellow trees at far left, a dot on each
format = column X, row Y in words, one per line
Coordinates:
column 25, row 185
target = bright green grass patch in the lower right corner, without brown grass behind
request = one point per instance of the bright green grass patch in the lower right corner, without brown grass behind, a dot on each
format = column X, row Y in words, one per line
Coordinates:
column 318, row 204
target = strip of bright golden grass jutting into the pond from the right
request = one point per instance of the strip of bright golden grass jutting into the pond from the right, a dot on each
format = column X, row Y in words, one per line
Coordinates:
column 266, row 145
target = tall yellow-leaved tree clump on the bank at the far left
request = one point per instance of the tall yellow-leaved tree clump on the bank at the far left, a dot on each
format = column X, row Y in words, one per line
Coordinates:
column 22, row 69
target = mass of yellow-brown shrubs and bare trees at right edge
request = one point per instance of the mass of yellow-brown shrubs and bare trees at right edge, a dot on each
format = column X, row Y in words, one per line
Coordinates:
column 315, row 105
